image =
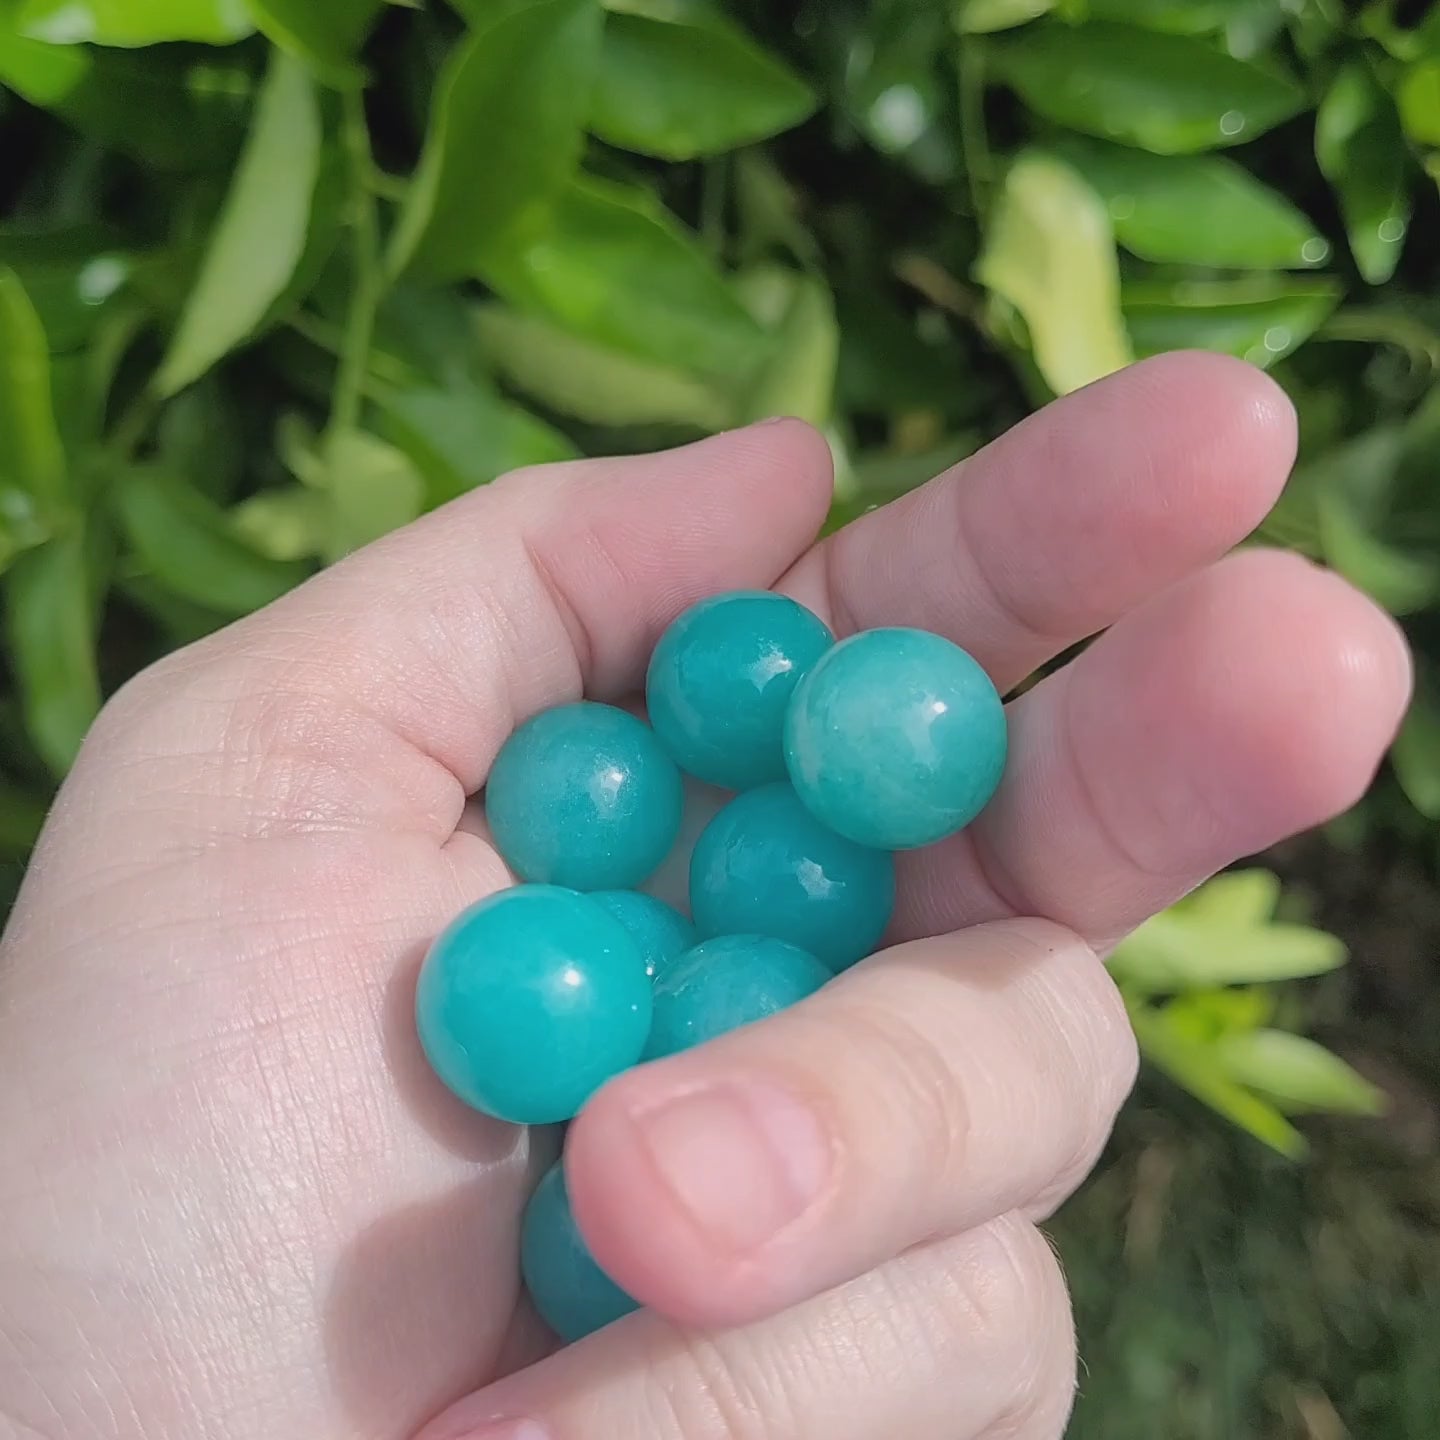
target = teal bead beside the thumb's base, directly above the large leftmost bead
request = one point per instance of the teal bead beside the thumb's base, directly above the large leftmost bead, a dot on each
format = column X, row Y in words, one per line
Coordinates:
column 584, row 797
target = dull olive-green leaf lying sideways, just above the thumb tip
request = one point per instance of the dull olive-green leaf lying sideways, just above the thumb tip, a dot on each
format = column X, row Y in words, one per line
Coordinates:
column 591, row 382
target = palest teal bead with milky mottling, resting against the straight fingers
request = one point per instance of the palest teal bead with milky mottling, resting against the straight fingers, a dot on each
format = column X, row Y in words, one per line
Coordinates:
column 896, row 739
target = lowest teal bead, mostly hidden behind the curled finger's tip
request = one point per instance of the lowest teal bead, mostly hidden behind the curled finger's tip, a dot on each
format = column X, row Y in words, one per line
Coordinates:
column 572, row 1294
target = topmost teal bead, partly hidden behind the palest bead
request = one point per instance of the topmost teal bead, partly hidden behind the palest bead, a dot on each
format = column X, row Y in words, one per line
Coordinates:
column 721, row 680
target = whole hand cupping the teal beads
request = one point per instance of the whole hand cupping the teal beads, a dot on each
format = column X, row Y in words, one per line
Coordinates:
column 238, row 1206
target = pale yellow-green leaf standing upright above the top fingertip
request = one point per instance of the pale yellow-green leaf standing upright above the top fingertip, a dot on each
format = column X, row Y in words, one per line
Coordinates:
column 1050, row 253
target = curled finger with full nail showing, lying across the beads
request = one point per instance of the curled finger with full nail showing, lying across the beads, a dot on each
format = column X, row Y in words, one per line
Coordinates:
column 925, row 1092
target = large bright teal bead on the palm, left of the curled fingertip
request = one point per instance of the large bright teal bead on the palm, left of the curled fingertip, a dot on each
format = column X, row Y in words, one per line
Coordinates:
column 531, row 1002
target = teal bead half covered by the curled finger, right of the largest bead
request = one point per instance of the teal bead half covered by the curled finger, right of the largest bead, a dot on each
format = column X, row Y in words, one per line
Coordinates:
column 726, row 983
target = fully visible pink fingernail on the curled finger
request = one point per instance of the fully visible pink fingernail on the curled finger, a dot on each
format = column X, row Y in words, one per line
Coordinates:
column 742, row 1160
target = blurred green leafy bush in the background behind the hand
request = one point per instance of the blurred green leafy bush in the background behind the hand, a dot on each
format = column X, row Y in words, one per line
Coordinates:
column 280, row 276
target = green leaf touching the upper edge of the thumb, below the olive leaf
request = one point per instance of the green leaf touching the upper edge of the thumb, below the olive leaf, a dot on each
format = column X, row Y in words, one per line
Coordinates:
column 467, row 438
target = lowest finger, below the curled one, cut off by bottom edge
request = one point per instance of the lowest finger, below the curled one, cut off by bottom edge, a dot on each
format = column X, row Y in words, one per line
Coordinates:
column 961, row 1340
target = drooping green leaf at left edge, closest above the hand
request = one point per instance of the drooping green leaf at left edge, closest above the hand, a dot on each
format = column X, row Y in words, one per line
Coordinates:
column 51, row 616
